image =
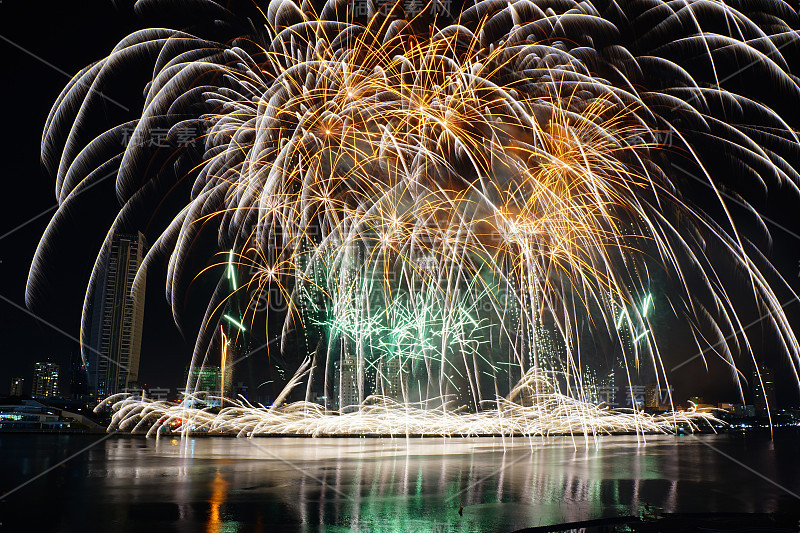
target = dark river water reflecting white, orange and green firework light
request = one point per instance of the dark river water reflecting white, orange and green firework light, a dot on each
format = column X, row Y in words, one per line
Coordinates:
column 225, row 485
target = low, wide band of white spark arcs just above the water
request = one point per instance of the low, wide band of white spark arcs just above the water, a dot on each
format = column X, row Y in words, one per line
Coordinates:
column 546, row 413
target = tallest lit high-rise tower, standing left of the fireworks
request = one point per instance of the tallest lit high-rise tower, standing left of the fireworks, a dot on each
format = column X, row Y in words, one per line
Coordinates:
column 117, row 318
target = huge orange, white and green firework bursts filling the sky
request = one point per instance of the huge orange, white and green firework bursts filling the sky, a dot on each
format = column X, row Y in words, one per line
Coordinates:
column 450, row 192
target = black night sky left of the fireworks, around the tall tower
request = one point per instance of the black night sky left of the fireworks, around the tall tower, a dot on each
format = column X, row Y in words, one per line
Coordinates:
column 64, row 37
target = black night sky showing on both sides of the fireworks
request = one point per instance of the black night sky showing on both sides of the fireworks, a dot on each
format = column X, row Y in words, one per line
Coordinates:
column 42, row 45
